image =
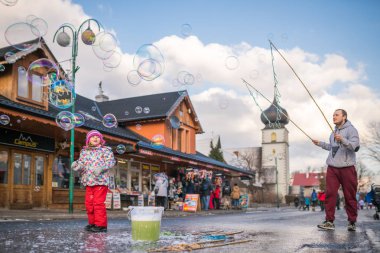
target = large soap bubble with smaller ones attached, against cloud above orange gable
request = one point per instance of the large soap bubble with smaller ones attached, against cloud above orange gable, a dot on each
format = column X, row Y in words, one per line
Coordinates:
column 148, row 63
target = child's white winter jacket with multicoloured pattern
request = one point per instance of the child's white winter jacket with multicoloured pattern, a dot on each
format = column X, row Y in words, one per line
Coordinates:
column 94, row 163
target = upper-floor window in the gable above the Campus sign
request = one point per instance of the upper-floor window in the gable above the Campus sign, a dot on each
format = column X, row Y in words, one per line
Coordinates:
column 30, row 89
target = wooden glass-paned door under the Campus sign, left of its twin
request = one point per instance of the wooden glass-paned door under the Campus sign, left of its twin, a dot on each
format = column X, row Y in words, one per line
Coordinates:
column 21, row 195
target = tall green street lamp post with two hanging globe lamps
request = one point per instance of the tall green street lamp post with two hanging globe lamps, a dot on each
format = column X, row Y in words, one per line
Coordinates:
column 63, row 39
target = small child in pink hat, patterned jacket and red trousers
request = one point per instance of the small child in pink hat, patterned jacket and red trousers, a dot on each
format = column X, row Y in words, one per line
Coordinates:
column 94, row 163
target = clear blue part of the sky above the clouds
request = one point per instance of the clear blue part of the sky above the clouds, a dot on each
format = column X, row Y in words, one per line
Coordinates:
column 350, row 28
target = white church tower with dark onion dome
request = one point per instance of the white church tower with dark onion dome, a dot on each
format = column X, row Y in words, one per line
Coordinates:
column 275, row 151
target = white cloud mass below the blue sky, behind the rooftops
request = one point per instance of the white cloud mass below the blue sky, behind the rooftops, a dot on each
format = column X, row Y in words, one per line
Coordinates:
column 222, row 102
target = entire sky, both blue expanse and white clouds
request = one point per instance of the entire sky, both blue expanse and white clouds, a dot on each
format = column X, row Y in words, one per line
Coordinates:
column 332, row 45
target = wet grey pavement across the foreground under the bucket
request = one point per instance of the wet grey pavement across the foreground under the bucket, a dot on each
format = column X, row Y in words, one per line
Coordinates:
column 269, row 230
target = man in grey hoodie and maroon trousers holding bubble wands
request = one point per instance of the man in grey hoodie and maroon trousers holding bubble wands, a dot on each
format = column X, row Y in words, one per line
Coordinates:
column 343, row 144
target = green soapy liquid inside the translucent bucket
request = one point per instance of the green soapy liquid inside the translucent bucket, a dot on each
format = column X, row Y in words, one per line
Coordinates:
column 146, row 230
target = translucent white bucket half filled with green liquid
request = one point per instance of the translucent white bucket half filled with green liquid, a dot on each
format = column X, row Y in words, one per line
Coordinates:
column 146, row 222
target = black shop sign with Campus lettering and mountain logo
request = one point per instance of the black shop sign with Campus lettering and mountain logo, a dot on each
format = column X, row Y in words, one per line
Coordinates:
column 26, row 140
